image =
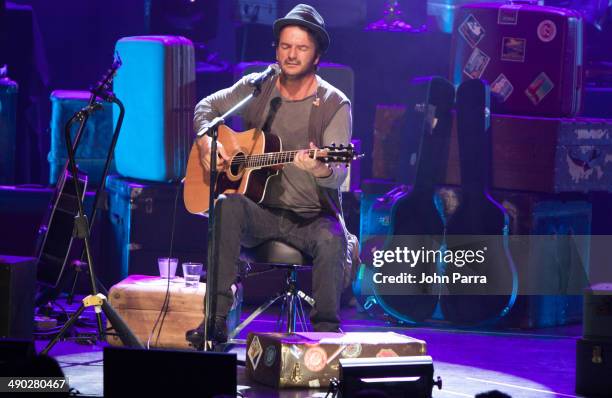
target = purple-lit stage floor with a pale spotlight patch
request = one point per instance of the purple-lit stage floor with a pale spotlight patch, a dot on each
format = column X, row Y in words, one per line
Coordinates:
column 521, row 363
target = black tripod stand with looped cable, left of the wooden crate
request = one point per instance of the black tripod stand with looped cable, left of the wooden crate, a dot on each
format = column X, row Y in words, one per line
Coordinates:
column 82, row 227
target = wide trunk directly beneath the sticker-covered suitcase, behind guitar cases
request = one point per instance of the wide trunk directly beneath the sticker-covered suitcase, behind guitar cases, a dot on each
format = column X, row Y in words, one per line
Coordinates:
column 546, row 155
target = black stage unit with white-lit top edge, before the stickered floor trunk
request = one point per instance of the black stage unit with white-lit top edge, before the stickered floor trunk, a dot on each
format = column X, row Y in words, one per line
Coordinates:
column 395, row 377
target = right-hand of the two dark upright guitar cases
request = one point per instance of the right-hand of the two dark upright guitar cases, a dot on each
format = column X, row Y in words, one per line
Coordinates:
column 479, row 223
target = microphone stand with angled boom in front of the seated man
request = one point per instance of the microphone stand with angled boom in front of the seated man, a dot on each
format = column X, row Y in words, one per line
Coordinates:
column 212, row 130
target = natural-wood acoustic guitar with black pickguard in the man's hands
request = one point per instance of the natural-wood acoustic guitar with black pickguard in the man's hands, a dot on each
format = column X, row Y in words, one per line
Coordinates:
column 254, row 158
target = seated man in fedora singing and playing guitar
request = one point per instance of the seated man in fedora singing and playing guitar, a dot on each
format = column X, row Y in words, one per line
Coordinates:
column 301, row 205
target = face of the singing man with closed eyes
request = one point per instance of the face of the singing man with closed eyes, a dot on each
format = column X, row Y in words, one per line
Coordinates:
column 296, row 52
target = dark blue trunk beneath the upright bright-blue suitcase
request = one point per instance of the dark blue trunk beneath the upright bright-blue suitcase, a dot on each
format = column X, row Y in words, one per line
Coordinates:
column 142, row 215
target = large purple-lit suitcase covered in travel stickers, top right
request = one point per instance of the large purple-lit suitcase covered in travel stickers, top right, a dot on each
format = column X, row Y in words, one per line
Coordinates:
column 531, row 55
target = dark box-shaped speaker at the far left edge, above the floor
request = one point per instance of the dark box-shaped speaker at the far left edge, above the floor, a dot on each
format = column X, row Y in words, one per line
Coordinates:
column 17, row 291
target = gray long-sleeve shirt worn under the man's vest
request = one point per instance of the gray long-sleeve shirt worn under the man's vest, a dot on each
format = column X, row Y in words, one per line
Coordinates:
column 293, row 188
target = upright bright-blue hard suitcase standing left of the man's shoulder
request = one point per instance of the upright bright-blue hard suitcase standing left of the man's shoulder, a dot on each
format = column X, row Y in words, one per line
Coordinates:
column 157, row 86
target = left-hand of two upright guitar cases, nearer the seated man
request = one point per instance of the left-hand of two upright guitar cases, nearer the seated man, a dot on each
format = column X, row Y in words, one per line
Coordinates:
column 417, row 220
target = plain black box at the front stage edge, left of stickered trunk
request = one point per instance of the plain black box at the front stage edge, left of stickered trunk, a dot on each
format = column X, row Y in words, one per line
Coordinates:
column 130, row 372
